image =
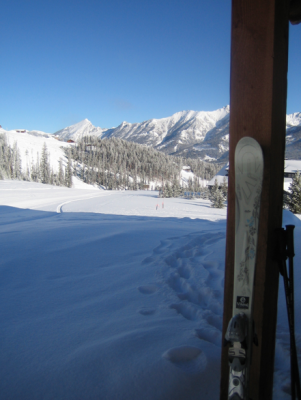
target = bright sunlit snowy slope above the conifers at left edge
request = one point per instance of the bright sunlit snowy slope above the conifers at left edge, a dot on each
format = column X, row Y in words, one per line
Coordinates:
column 30, row 145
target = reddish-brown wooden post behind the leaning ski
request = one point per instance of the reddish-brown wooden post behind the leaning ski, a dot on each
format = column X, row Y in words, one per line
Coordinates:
column 259, row 53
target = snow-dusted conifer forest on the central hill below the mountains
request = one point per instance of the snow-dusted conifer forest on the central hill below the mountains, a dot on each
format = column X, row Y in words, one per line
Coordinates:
column 118, row 164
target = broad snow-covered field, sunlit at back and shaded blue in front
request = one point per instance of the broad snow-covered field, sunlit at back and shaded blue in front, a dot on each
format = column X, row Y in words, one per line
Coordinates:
column 109, row 295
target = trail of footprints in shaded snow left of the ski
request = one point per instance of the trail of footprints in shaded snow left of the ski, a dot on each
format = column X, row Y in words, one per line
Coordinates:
column 190, row 277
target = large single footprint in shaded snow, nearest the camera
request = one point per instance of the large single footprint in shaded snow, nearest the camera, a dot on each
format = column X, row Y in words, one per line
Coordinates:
column 190, row 359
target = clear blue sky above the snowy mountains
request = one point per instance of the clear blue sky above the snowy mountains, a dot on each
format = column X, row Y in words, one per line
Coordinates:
column 115, row 60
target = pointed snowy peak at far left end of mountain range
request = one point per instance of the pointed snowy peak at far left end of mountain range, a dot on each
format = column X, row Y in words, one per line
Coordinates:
column 79, row 130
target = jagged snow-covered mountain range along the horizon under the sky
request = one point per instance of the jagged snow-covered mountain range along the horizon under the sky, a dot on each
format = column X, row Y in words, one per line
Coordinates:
column 201, row 134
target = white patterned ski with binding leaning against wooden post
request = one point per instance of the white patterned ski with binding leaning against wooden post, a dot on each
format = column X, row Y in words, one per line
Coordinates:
column 240, row 333
